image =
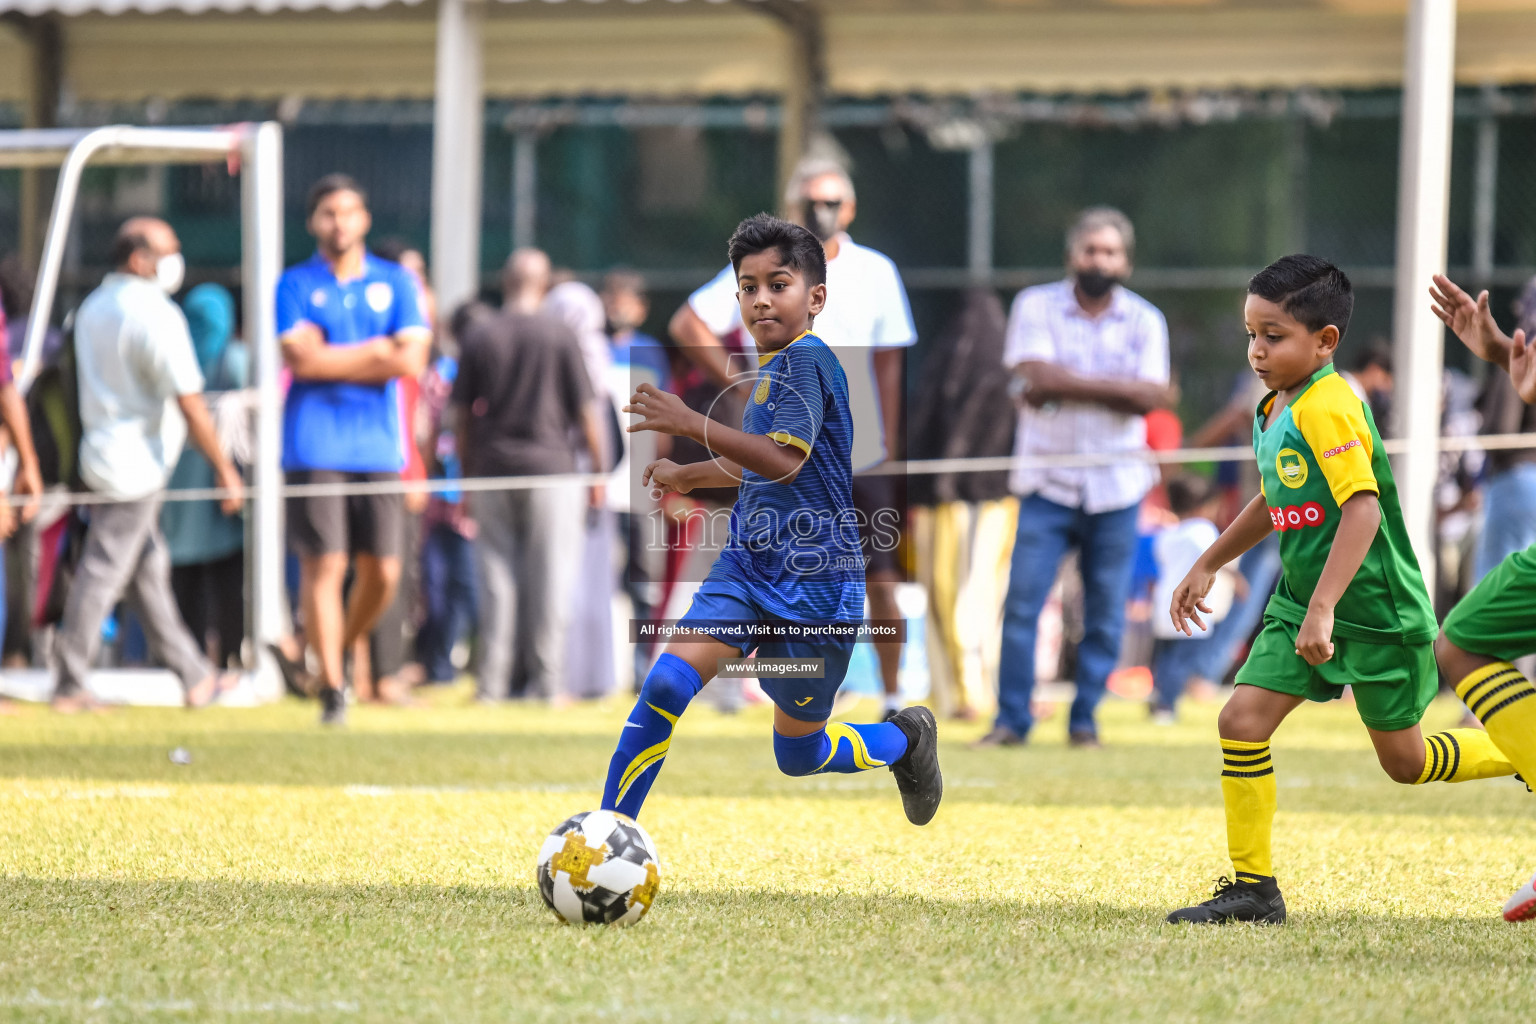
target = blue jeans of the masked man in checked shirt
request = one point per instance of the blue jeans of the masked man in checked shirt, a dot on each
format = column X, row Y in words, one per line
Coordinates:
column 1108, row 547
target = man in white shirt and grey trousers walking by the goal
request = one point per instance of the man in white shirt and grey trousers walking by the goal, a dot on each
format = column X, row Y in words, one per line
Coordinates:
column 141, row 398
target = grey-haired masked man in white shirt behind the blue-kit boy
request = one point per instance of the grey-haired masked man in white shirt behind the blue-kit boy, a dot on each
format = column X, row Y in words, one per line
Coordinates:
column 869, row 325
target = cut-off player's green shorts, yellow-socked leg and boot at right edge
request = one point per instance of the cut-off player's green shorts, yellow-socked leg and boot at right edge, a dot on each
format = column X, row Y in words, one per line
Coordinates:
column 1483, row 636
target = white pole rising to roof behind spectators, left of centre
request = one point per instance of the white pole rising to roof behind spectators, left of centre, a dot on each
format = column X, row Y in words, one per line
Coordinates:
column 458, row 139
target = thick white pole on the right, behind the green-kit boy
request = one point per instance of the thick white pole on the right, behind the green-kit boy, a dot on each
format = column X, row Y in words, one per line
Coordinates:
column 1423, row 213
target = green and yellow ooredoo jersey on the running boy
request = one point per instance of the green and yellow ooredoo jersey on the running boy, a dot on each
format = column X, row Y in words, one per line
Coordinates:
column 1320, row 452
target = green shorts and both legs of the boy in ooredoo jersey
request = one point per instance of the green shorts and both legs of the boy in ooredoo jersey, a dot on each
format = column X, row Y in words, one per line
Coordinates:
column 1392, row 685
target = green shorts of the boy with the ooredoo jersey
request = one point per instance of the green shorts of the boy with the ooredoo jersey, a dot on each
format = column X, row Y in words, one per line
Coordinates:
column 1394, row 682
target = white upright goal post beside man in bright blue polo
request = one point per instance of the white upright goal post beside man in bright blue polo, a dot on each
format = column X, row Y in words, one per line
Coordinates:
column 262, row 245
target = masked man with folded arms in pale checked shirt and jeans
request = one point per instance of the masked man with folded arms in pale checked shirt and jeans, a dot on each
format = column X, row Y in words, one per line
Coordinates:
column 1090, row 360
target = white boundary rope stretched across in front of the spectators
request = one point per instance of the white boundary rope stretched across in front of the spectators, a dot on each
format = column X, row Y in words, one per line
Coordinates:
column 915, row 467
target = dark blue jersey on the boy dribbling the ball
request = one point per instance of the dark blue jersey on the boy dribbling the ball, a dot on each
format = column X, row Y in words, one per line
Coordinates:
column 796, row 546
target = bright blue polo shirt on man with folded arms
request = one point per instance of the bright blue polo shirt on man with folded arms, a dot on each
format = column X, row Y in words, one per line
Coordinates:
column 337, row 424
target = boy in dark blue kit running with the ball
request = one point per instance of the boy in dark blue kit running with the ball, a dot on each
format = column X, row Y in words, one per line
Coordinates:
column 792, row 567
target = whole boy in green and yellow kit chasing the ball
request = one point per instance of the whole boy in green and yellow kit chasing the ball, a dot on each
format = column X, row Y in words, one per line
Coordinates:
column 1351, row 609
